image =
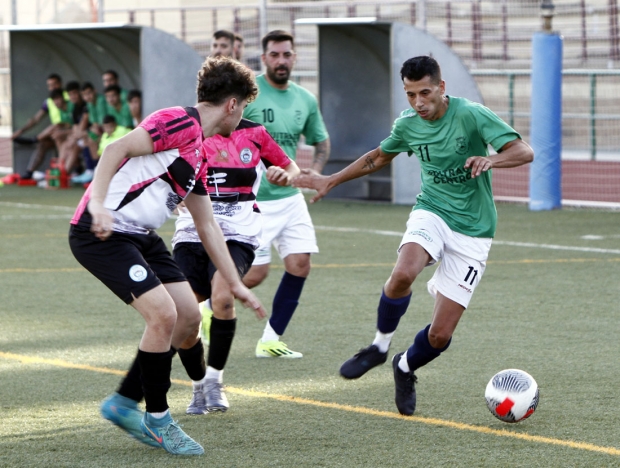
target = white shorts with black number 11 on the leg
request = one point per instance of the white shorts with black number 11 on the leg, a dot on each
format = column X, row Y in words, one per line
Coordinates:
column 463, row 258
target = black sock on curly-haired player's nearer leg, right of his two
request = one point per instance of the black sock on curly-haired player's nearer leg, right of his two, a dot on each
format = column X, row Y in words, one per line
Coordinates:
column 155, row 379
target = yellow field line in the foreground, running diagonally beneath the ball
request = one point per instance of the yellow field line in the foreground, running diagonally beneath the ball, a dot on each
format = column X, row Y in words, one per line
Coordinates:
column 341, row 407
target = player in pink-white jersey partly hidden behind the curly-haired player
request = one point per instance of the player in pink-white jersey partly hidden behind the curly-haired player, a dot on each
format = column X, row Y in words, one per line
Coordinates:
column 235, row 168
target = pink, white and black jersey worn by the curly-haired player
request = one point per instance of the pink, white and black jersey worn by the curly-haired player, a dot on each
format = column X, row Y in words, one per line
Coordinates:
column 146, row 189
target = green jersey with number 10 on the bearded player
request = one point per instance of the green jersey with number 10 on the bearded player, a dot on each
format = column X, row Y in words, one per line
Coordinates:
column 286, row 114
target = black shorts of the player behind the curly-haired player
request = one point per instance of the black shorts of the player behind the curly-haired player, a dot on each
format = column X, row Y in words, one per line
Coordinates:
column 195, row 263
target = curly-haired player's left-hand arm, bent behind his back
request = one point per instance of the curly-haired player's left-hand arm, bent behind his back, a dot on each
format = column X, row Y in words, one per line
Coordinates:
column 136, row 143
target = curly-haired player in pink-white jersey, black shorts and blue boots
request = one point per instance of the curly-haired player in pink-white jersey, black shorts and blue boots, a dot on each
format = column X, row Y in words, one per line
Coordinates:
column 139, row 181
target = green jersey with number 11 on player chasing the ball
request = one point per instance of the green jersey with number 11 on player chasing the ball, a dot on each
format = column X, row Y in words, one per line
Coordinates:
column 442, row 146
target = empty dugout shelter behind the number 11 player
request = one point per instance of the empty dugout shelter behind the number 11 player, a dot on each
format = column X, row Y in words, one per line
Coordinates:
column 361, row 94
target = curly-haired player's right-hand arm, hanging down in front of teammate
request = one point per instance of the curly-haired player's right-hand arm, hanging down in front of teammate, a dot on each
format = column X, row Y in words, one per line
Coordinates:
column 213, row 240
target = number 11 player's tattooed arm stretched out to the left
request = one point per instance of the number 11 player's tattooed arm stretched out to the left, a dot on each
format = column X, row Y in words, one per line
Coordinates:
column 367, row 164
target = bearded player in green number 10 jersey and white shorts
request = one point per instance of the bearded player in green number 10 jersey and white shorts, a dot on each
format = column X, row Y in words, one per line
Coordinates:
column 287, row 111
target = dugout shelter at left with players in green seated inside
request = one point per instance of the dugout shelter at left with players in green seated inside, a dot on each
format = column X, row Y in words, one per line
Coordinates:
column 164, row 68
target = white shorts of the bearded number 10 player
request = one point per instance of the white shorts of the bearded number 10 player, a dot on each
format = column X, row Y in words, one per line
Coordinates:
column 286, row 225
